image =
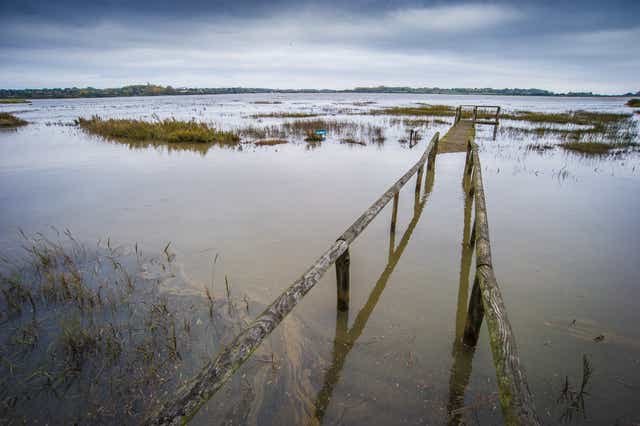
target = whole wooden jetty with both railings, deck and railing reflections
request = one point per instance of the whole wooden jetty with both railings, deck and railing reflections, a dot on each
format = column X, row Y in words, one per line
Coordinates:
column 485, row 303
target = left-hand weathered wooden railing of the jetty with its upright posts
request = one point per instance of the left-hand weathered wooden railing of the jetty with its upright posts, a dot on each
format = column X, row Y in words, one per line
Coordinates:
column 191, row 396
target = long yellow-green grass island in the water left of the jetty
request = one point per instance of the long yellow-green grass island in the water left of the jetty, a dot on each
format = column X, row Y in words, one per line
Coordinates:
column 167, row 131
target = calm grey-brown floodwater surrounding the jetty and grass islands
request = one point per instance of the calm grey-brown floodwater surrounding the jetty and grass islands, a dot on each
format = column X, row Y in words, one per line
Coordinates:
column 564, row 233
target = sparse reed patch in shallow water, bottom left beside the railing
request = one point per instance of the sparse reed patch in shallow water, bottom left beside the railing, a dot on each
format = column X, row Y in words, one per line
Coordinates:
column 92, row 336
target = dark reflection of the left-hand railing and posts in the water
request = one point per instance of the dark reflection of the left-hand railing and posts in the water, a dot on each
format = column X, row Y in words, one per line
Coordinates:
column 346, row 338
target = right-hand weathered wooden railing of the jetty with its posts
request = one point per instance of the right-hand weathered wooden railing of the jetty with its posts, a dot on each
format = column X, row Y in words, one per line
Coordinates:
column 486, row 301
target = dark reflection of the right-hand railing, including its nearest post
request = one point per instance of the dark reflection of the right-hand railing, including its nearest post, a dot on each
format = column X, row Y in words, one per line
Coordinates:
column 468, row 320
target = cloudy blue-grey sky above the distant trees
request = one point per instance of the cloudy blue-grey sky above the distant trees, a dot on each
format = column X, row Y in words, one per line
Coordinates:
column 288, row 44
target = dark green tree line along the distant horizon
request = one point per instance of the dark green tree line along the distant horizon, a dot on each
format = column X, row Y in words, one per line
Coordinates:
column 154, row 90
